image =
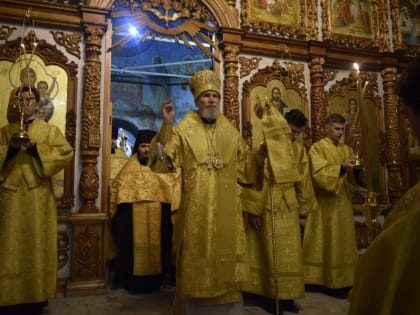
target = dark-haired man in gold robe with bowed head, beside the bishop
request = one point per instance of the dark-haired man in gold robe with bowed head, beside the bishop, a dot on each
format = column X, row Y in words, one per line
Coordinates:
column 273, row 234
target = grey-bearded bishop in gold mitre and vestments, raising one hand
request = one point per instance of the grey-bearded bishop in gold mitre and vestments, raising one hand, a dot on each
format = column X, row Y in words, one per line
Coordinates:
column 212, row 260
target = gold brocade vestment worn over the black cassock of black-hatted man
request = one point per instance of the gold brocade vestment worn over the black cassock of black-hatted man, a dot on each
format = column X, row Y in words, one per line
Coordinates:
column 146, row 190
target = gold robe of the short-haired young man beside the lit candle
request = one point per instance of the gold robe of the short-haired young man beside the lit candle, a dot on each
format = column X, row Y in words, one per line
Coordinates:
column 330, row 250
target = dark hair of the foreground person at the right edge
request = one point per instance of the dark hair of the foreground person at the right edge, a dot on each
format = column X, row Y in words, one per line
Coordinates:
column 408, row 86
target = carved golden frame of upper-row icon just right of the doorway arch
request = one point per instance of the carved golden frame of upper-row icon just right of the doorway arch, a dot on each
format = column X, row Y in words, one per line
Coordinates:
column 303, row 28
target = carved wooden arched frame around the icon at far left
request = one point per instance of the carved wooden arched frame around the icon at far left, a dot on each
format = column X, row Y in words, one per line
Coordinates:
column 50, row 55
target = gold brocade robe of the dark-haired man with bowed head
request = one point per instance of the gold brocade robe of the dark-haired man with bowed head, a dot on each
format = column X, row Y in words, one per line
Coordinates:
column 281, row 237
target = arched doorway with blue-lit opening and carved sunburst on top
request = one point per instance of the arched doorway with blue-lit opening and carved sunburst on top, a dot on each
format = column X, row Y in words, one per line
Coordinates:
column 152, row 52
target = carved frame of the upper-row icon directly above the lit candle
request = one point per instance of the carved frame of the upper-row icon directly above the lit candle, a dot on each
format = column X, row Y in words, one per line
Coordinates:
column 378, row 28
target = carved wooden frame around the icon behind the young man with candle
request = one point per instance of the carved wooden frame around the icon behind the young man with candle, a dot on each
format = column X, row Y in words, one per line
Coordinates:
column 345, row 89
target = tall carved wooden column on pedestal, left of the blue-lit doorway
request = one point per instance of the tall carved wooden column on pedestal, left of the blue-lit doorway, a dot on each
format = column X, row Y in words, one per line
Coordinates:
column 88, row 240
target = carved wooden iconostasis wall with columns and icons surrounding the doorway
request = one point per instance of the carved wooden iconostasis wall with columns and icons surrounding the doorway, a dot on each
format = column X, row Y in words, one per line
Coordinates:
column 307, row 59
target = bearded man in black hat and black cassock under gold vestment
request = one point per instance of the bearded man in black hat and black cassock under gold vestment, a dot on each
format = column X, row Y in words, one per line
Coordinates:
column 141, row 205
